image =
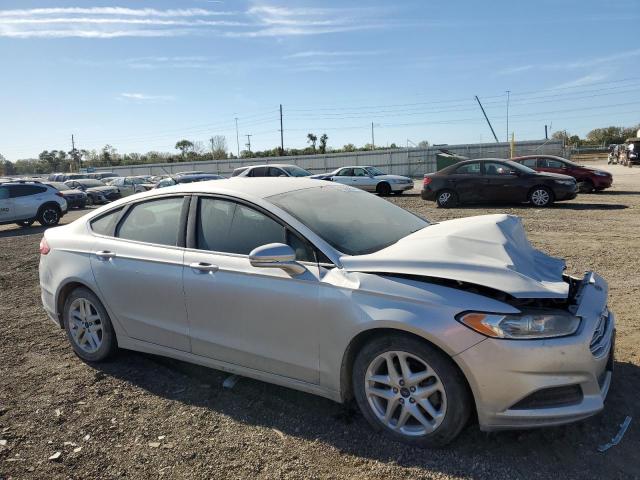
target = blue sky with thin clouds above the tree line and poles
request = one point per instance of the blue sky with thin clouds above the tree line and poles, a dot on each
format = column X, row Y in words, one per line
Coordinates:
column 140, row 75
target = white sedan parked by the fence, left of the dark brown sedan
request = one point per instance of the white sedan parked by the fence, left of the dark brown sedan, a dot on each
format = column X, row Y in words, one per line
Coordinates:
column 370, row 179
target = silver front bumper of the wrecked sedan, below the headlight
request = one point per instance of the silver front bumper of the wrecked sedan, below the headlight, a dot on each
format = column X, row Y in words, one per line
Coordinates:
column 536, row 383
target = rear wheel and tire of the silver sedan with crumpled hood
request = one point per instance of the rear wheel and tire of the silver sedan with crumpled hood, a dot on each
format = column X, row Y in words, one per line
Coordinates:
column 91, row 336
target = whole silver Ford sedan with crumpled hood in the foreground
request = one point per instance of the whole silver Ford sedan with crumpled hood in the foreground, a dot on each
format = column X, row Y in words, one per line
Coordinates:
column 284, row 280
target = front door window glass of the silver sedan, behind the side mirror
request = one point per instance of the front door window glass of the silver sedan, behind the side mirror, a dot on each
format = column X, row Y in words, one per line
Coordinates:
column 229, row 227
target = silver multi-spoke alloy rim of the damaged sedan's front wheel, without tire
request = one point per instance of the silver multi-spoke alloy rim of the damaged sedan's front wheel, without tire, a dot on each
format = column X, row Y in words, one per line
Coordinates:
column 405, row 393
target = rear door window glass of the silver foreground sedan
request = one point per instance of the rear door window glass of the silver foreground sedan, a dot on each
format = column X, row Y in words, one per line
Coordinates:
column 155, row 221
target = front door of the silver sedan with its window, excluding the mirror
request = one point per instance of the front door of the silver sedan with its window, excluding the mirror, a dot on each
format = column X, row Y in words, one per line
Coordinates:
column 260, row 318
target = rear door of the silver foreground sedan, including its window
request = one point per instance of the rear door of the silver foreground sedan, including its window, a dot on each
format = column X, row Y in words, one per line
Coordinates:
column 137, row 262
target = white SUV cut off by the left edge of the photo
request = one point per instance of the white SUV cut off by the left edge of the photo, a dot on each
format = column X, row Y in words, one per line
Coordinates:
column 24, row 202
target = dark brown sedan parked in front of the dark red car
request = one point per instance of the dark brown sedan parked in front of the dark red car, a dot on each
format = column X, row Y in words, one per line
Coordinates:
column 496, row 181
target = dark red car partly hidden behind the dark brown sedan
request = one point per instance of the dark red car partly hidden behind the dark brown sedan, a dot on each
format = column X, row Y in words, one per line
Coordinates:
column 589, row 179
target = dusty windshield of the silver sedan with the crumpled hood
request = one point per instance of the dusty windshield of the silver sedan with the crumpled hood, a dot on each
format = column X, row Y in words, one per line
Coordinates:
column 350, row 220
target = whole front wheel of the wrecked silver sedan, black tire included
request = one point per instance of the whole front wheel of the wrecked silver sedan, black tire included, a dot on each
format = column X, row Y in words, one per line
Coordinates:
column 449, row 403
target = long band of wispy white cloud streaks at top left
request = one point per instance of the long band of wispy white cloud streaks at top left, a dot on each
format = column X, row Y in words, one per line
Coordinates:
column 113, row 22
